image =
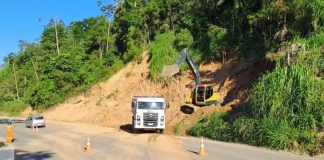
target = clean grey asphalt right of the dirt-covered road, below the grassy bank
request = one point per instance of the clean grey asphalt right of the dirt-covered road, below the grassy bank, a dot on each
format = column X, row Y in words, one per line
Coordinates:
column 229, row 151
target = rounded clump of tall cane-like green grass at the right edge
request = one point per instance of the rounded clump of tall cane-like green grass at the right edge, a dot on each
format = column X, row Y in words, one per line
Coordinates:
column 289, row 94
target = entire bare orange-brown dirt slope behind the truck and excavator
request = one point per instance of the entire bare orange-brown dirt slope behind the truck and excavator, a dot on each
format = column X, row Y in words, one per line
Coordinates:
column 108, row 103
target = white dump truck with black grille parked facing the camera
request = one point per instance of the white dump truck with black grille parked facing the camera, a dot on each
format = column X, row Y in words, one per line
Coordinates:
column 148, row 113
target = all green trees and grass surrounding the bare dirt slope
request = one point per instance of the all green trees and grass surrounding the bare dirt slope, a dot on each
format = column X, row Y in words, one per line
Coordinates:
column 285, row 108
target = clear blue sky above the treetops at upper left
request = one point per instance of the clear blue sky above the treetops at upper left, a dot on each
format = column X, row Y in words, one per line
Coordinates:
column 25, row 19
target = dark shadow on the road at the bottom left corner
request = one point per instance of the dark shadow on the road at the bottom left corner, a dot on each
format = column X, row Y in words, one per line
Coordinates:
column 40, row 155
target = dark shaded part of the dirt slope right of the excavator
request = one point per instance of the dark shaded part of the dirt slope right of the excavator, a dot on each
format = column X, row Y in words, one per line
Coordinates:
column 241, row 74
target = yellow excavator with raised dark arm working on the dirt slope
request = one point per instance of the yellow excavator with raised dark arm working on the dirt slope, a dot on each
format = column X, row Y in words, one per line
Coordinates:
column 202, row 94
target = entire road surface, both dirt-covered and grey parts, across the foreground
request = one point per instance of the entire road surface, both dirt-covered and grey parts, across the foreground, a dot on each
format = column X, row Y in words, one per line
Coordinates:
column 63, row 140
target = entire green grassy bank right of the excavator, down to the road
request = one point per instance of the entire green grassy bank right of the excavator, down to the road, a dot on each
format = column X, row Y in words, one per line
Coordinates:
column 284, row 110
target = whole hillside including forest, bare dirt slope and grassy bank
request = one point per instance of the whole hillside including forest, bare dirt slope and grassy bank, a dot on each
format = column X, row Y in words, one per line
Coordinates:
column 88, row 71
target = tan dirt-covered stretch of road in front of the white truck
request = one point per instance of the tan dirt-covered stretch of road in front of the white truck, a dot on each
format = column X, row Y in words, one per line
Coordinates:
column 62, row 140
